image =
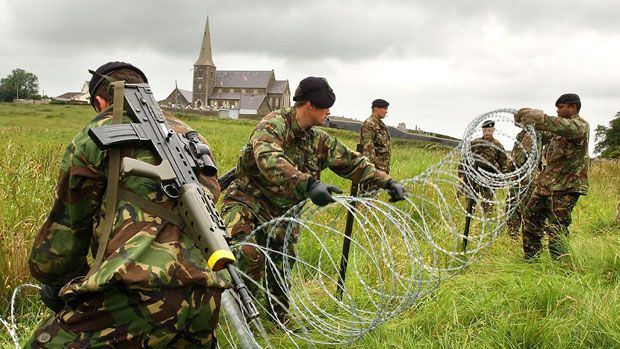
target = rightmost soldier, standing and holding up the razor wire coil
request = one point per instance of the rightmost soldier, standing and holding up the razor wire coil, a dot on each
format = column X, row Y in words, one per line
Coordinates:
column 563, row 178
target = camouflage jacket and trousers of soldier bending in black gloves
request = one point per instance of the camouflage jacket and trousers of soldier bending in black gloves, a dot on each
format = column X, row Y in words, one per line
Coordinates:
column 272, row 176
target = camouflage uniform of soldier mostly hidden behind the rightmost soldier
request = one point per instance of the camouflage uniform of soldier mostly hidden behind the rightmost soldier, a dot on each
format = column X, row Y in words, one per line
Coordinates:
column 522, row 145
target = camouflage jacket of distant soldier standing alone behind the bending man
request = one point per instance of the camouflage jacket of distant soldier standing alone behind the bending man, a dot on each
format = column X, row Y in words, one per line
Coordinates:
column 375, row 138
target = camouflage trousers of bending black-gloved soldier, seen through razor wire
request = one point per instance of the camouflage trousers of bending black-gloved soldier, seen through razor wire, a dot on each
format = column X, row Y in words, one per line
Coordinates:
column 240, row 222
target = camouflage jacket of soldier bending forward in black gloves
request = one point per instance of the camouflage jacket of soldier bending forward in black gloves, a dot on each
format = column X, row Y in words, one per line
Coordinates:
column 279, row 158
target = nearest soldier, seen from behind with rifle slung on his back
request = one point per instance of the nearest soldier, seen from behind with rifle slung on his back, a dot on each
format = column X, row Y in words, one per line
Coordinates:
column 152, row 288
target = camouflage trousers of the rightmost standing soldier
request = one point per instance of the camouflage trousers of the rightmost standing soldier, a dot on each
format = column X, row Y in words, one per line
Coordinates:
column 550, row 213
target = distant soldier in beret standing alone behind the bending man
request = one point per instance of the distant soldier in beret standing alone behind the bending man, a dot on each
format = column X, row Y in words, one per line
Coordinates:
column 375, row 139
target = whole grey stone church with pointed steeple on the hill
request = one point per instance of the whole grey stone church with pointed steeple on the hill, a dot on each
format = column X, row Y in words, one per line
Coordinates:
column 233, row 93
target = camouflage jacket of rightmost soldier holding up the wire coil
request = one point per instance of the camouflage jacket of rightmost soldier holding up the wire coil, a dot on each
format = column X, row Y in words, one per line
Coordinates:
column 566, row 159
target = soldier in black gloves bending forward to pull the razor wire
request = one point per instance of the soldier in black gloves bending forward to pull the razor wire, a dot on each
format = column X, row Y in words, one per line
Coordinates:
column 280, row 167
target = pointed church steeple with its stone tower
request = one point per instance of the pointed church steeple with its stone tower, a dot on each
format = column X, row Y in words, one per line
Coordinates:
column 204, row 71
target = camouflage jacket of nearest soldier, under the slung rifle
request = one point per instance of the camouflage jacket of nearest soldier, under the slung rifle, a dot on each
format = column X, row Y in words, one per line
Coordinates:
column 143, row 251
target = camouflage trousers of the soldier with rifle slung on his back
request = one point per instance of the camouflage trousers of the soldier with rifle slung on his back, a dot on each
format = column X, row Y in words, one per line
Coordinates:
column 128, row 318
